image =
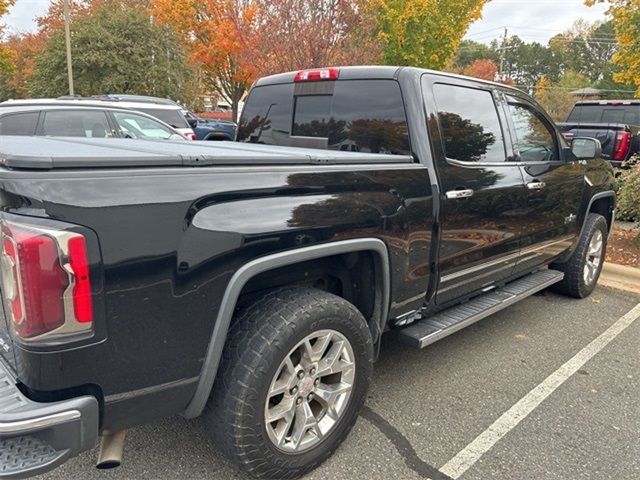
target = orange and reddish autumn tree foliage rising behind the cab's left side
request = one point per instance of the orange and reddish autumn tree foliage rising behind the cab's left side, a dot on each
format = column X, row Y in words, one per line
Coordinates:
column 234, row 42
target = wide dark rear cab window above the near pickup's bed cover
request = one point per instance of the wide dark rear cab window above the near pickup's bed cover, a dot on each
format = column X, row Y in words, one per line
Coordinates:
column 365, row 116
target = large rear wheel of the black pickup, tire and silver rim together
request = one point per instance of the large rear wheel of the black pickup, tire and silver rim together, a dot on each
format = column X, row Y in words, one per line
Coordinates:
column 294, row 376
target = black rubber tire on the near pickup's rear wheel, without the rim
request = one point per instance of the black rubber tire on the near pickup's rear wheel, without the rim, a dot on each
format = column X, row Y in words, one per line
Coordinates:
column 261, row 336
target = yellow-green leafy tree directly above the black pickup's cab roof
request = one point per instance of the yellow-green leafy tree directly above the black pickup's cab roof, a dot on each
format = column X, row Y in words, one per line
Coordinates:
column 423, row 33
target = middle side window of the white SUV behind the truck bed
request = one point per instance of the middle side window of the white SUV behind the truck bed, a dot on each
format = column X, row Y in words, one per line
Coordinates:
column 76, row 123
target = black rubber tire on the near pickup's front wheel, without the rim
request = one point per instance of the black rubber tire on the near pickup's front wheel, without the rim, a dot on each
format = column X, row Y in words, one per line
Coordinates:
column 574, row 283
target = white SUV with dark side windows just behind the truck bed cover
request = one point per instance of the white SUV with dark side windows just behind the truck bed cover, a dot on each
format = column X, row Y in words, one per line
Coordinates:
column 57, row 118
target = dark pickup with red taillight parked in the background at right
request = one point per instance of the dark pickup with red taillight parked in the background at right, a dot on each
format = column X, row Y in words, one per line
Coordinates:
column 615, row 123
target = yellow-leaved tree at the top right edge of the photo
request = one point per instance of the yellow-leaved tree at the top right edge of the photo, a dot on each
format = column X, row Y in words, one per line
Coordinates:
column 626, row 21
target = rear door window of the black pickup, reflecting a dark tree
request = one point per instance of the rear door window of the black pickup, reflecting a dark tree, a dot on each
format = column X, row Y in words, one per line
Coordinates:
column 469, row 124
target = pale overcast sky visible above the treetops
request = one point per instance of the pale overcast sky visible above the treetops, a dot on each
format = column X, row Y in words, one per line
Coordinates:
column 531, row 20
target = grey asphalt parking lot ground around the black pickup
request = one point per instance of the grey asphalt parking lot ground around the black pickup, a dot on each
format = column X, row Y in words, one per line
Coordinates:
column 427, row 406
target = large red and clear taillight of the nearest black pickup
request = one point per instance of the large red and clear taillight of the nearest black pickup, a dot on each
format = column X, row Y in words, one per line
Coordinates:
column 45, row 280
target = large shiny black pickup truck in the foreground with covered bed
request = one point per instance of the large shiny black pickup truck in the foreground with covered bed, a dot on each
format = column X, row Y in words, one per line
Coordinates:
column 250, row 283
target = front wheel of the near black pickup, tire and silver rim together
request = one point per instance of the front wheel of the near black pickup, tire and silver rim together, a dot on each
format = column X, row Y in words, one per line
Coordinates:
column 582, row 269
